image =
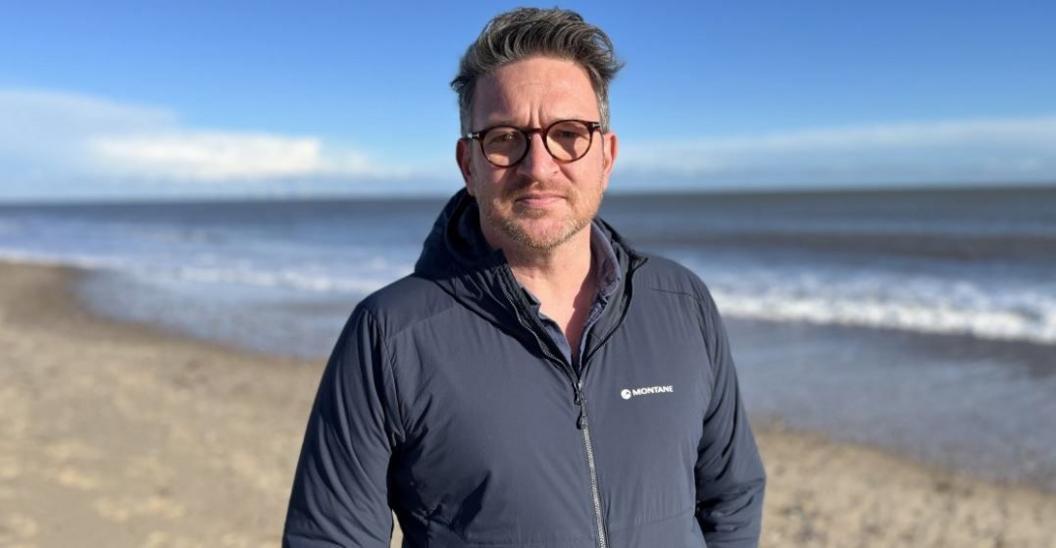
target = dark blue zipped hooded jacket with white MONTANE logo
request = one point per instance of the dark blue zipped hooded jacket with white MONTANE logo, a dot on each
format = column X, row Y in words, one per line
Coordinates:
column 445, row 402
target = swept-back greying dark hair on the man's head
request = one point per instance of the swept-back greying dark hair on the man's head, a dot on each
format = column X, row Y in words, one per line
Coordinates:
column 529, row 32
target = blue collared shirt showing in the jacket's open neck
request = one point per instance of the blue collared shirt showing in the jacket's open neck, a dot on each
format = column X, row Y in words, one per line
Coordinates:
column 605, row 269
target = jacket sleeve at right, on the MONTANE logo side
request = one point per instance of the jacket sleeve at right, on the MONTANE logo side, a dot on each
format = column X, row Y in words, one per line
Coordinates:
column 729, row 473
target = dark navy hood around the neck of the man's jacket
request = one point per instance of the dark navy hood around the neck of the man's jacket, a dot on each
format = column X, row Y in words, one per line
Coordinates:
column 458, row 258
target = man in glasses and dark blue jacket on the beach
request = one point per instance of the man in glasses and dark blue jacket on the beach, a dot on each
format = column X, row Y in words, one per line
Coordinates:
column 536, row 382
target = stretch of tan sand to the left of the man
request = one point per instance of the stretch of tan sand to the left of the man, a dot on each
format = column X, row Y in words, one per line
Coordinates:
column 121, row 434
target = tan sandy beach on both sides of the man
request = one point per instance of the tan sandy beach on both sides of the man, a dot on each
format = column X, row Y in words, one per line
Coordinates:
column 123, row 436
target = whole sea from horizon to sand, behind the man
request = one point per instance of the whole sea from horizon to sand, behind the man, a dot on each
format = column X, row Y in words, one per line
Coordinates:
column 918, row 322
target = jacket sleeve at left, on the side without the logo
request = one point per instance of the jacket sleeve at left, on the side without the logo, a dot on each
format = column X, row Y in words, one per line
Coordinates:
column 341, row 496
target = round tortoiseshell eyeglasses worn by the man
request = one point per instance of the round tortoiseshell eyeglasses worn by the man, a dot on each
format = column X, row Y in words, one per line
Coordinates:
column 567, row 141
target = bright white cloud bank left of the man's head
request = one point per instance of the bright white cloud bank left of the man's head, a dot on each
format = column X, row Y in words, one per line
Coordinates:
column 50, row 138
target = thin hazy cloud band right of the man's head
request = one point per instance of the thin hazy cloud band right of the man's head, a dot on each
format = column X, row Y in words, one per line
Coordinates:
column 954, row 152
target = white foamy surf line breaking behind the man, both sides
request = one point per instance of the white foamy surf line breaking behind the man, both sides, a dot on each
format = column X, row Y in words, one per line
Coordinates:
column 942, row 304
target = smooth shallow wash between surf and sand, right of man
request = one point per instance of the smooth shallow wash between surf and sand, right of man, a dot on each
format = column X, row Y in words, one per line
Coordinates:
column 985, row 407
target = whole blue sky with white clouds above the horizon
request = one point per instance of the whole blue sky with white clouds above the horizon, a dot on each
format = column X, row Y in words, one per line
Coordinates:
column 144, row 100
